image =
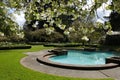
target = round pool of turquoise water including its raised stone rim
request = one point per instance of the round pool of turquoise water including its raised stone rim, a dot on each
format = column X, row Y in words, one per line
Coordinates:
column 78, row 59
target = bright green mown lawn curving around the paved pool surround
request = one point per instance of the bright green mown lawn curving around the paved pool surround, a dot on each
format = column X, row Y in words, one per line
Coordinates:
column 11, row 69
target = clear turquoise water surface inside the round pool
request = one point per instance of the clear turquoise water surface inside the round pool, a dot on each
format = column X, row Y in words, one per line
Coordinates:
column 83, row 57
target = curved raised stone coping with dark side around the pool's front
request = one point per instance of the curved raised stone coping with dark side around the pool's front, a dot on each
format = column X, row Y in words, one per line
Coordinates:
column 44, row 58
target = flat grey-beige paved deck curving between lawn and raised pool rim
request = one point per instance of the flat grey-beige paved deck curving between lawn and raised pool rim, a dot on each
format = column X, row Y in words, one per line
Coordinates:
column 31, row 63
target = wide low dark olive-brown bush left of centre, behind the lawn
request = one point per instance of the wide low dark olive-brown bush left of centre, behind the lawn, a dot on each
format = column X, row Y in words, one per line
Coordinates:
column 42, row 36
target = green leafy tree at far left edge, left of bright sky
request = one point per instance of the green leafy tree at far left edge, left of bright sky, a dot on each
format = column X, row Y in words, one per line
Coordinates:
column 8, row 27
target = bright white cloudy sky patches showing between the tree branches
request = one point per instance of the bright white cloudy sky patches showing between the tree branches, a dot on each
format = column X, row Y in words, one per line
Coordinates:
column 101, row 12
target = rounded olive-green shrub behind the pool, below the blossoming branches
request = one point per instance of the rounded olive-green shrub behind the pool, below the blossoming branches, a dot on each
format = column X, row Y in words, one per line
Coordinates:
column 80, row 29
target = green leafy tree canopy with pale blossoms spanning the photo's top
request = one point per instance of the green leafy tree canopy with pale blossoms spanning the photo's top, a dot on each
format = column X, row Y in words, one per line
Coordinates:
column 54, row 15
